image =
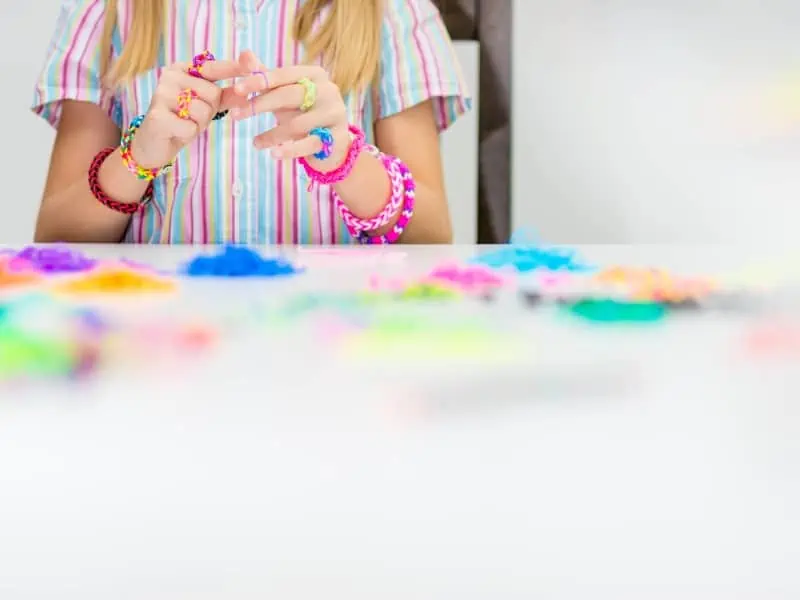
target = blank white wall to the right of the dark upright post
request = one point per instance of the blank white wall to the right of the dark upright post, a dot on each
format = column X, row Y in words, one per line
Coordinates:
column 657, row 120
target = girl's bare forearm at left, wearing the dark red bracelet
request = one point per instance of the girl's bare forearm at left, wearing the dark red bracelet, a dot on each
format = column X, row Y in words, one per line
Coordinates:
column 73, row 214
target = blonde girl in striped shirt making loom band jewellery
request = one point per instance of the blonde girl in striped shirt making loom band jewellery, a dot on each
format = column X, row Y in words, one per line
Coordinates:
column 326, row 132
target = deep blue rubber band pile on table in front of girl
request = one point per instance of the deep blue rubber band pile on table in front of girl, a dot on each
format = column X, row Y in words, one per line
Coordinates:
column 238, row 261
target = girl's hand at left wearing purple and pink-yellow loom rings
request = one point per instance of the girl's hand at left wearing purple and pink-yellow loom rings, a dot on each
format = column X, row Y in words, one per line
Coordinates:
column 163, row 133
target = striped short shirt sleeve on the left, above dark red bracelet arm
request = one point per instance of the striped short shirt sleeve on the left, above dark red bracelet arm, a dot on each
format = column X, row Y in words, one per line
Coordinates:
column 71, row 68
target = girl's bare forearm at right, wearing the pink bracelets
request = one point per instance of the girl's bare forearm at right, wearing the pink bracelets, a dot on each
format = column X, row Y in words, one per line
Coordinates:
column 367, row 189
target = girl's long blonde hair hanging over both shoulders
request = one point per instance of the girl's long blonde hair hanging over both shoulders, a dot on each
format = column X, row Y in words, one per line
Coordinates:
column 353, row 58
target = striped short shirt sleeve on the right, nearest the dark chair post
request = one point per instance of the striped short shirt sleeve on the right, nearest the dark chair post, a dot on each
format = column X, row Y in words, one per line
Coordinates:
column 419, row 63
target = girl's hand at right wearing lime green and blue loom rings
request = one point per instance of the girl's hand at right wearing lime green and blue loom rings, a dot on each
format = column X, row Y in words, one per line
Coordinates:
column 277, row 91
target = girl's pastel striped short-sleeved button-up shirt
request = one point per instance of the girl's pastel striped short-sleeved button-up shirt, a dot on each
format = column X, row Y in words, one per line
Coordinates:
column 221, row 189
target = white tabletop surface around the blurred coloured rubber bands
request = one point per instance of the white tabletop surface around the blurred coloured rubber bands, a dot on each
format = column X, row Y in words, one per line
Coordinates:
column 607, row 463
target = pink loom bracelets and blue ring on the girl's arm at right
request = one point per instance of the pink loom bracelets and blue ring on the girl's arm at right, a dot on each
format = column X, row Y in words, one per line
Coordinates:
column 401, row 197
